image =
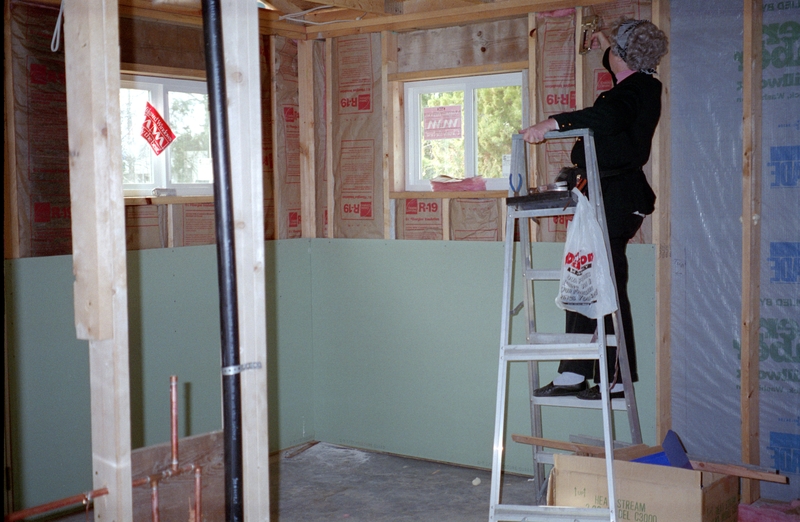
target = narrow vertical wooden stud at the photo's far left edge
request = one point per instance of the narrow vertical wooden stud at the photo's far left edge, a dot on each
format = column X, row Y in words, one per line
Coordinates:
column 10, row 197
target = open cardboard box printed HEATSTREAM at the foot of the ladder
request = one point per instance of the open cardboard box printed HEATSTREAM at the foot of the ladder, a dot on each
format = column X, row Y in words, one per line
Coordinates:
column 644, row 492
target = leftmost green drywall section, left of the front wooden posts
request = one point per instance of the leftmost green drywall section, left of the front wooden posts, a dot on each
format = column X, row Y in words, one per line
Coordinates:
column 48, row 383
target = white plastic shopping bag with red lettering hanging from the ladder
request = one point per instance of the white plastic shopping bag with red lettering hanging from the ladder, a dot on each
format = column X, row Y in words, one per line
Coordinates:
column 586, row 286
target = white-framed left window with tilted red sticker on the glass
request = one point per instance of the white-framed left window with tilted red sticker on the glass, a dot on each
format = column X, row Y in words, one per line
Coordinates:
column 185, row 164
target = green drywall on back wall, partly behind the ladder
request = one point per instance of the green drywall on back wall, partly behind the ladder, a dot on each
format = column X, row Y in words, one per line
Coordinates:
column 406, row 337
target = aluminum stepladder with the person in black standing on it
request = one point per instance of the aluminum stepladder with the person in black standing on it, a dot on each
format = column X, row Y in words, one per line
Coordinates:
column 552, row 347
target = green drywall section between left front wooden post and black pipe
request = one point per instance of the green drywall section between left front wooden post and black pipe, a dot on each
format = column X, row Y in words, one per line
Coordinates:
column 173, row 316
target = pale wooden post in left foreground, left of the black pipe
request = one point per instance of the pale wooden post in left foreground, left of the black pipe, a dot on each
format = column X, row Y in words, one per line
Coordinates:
column 91, row 39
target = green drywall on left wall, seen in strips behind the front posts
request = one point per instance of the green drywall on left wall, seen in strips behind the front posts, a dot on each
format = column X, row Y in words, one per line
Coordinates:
column 173, row 330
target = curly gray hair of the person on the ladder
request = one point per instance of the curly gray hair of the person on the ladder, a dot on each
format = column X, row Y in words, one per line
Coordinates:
column 639, row 43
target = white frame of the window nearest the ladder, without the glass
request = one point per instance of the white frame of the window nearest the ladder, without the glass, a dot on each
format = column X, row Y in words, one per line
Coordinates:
column 469, row 84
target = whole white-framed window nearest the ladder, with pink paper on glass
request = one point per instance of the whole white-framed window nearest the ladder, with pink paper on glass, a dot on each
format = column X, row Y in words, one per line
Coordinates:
column 462, row 128
